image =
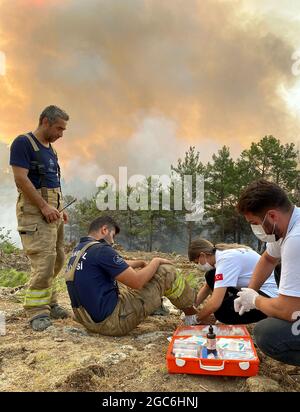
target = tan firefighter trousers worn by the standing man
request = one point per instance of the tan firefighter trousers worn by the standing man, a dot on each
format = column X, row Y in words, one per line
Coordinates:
column 43, row 243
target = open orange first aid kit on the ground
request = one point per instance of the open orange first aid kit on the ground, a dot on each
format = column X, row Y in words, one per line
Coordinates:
column 212, row 350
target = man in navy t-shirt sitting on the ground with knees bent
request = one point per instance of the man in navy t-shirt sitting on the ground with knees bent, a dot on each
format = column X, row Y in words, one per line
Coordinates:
column 107, row 295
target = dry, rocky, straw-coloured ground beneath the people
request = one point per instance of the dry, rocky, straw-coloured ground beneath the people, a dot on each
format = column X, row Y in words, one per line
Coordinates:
column 67, row 358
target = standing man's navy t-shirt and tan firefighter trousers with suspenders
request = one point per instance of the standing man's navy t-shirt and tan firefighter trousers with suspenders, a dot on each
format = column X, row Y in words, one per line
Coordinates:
column 42, row 242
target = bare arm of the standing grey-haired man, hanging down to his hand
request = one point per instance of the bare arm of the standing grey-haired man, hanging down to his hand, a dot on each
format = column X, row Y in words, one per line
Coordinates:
column 24, row 184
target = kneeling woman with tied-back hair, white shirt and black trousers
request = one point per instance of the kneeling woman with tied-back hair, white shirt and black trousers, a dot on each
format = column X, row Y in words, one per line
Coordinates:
column 228, row 268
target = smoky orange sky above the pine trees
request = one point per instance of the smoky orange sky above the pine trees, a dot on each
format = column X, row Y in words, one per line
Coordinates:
column 146, row 74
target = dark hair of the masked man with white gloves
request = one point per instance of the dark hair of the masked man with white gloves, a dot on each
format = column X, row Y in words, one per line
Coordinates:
column 260, row 196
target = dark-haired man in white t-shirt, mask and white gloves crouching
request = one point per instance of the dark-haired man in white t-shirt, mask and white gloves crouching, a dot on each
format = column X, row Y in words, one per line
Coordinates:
column 276, row 221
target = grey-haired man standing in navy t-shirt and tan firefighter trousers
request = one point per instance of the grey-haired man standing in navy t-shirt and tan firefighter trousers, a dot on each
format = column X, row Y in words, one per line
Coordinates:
column 40, row 224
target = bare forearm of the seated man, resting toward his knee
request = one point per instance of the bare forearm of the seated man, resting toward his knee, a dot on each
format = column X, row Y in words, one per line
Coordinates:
column 136, row 280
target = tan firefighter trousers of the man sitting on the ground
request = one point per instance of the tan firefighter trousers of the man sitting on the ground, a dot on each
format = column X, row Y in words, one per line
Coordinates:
column 135, row 305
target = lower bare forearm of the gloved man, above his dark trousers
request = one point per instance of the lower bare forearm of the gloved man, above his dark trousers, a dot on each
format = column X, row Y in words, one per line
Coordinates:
column 283, row 307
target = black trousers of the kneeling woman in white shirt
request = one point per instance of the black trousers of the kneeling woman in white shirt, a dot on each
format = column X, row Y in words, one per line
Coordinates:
column 226, row 313
